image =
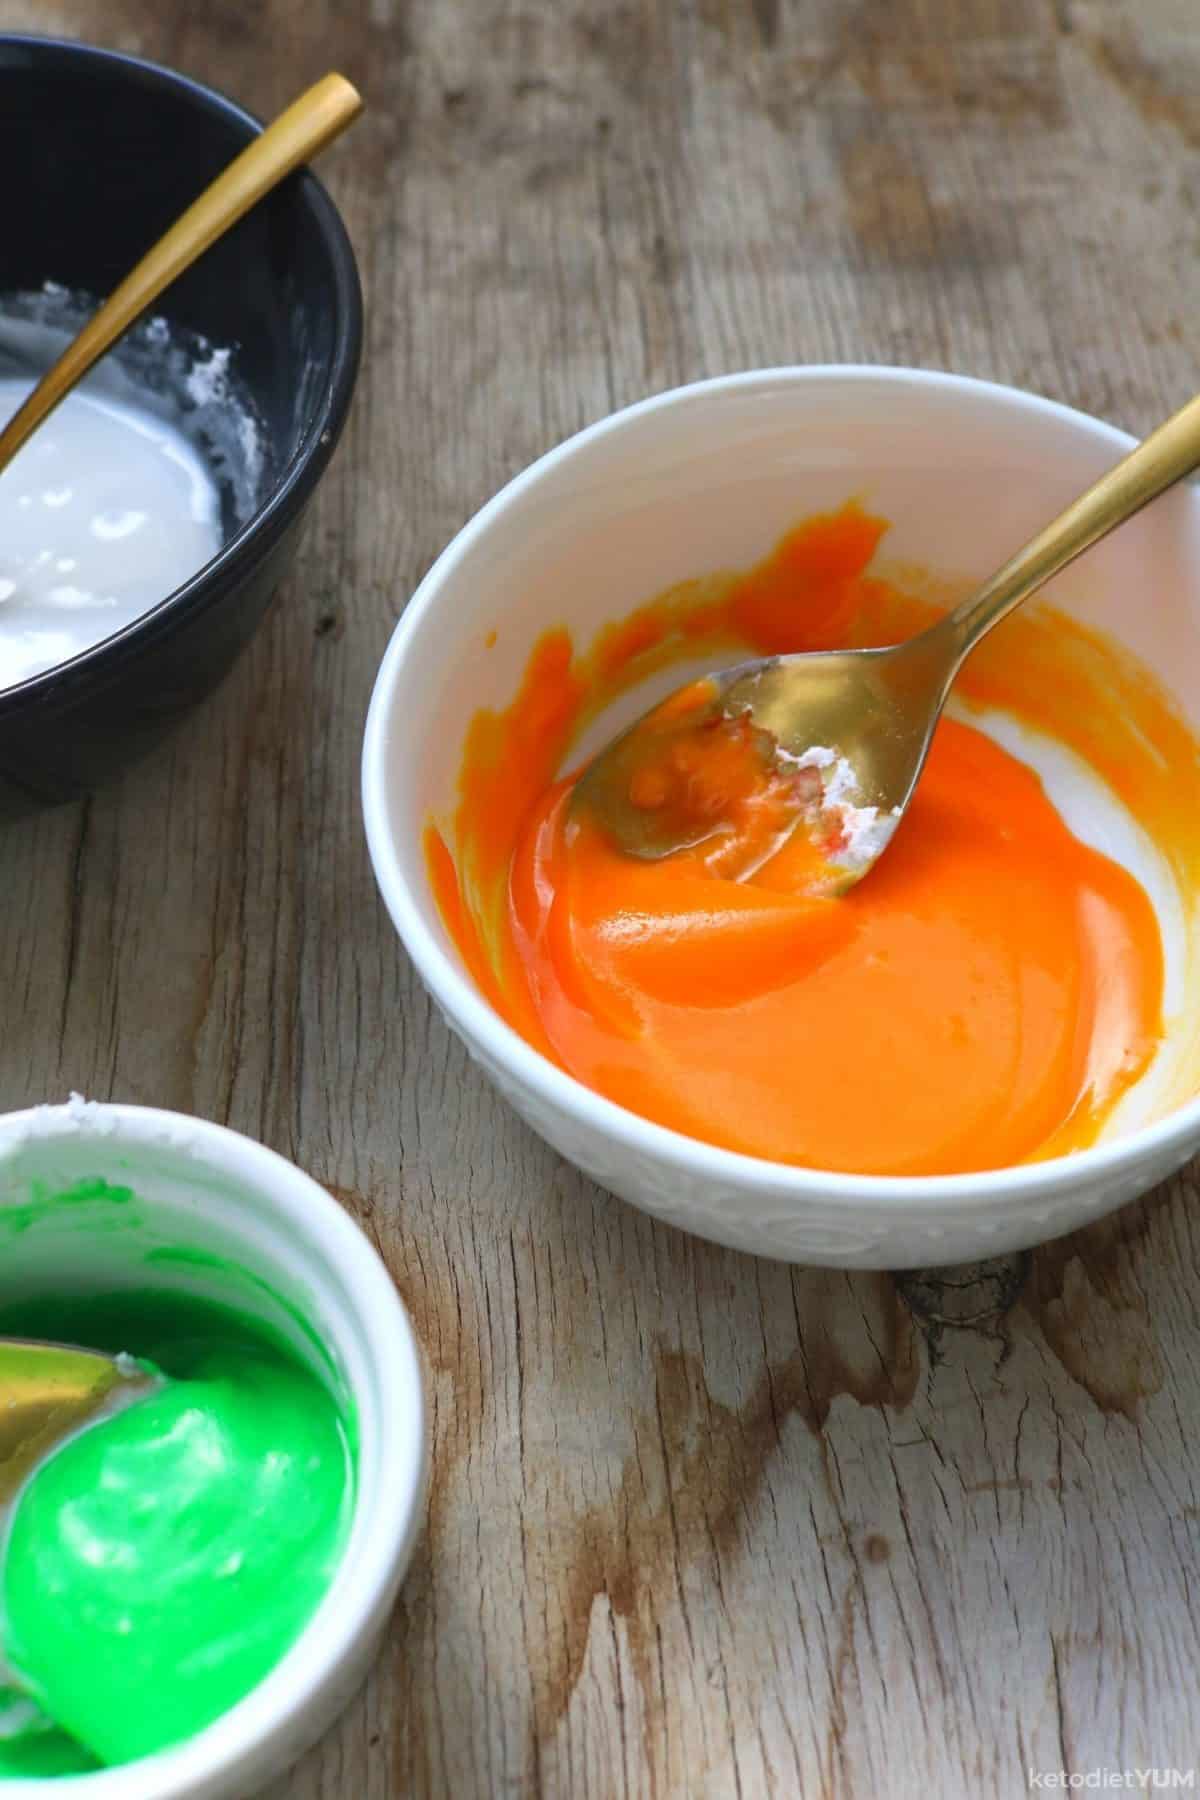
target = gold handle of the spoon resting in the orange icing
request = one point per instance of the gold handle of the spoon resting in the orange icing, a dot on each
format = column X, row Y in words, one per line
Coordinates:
column 1158, row 463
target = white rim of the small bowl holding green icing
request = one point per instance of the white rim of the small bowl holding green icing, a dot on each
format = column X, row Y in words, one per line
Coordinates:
column 253, row 1736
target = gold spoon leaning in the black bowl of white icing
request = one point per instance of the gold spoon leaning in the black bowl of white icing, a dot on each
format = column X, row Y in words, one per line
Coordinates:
column 321, row 114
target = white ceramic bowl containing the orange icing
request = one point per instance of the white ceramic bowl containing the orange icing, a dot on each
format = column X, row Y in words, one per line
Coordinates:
column 703, row 480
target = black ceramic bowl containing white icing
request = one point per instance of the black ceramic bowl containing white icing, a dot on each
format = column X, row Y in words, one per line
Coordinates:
column 111, row 152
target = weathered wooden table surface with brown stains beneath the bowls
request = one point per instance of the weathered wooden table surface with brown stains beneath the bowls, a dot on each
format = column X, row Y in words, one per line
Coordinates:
column 699, row 1525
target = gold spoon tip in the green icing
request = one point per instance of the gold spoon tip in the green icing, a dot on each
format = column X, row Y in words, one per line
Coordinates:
column 46, row 1392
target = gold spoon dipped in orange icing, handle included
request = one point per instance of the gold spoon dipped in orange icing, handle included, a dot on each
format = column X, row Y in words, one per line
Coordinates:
column 879, row 708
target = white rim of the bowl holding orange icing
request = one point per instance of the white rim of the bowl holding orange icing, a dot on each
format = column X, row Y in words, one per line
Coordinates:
column 933, row 1196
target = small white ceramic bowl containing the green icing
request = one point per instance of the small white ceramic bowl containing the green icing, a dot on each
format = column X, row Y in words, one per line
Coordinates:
column 210, row 1192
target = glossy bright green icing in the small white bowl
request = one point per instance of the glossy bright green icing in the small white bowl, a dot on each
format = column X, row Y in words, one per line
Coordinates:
column 165, row 1560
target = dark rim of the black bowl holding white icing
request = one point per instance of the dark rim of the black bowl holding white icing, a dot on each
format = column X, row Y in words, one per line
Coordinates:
column 296, row 483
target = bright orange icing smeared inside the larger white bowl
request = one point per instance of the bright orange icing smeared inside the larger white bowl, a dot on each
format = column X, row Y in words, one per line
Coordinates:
column 985, row 996
